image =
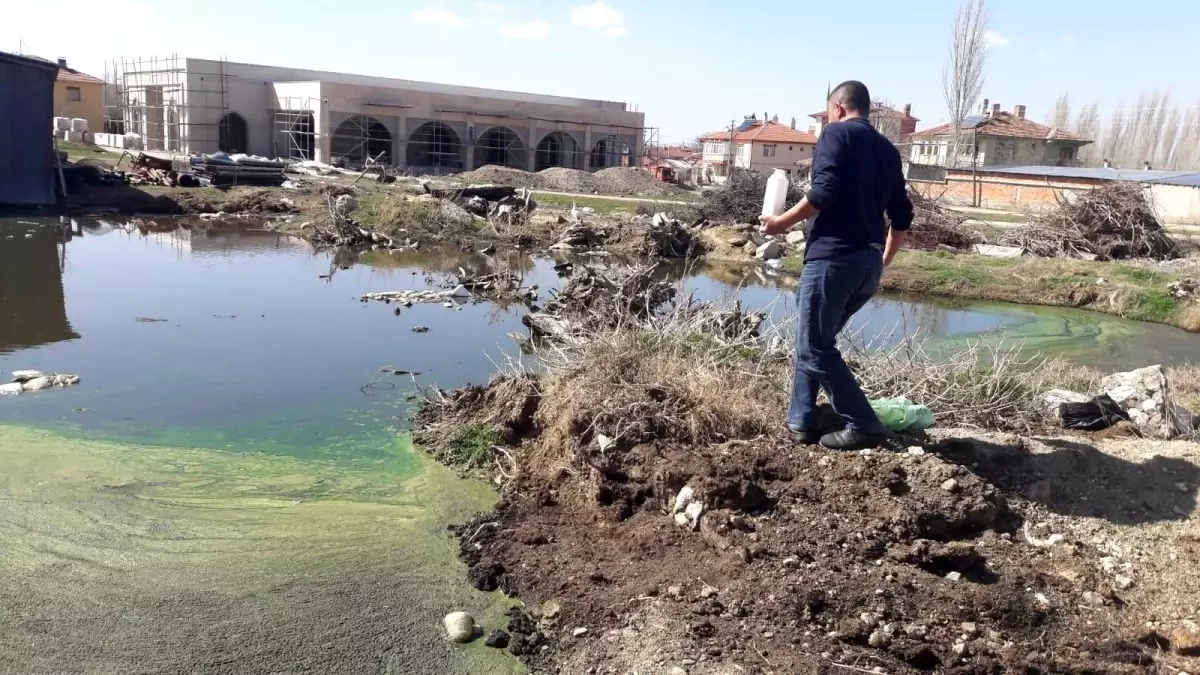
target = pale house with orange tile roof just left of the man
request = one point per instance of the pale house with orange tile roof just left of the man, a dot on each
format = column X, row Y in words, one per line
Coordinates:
column 761, row 146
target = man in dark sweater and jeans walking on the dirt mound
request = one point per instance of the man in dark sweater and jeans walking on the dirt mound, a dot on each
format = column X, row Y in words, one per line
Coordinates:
column 856, row 178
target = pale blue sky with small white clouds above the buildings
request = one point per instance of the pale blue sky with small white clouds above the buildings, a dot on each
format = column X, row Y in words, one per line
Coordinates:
column 691, row 65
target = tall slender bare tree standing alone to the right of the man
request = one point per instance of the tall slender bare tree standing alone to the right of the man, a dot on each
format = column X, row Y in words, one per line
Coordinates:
column 963, row 76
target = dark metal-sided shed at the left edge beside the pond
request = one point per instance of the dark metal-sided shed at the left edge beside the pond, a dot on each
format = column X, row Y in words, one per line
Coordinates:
column 27, row 142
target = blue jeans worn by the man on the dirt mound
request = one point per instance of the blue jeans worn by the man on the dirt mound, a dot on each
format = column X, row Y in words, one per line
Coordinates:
column 831, row 292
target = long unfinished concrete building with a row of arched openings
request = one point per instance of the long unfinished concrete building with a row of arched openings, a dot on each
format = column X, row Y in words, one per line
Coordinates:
column 201, row 106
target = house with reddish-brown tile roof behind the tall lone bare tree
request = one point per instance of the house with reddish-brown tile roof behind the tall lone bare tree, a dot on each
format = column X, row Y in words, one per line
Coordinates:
column 1000, row 139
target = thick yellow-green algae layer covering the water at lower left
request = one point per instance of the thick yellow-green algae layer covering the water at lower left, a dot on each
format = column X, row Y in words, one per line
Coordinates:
column 140, row 559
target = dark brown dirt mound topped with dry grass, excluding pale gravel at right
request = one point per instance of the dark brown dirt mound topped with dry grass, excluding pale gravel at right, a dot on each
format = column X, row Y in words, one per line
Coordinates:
column 908, row 561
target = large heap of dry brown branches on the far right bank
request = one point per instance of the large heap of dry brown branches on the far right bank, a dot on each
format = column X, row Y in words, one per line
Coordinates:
column 1113, row 222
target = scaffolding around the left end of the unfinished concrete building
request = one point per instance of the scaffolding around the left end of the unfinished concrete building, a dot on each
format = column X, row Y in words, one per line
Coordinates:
column 153, row 98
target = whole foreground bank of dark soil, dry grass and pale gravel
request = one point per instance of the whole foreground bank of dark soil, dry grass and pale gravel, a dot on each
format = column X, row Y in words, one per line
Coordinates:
column 655, row 516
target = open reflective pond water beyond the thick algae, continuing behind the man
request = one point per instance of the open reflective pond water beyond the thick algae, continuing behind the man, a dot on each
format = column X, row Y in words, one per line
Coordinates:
column 259, row 342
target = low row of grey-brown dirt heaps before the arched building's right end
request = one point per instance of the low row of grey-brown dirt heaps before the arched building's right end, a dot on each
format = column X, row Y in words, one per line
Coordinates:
column 621, row 182
